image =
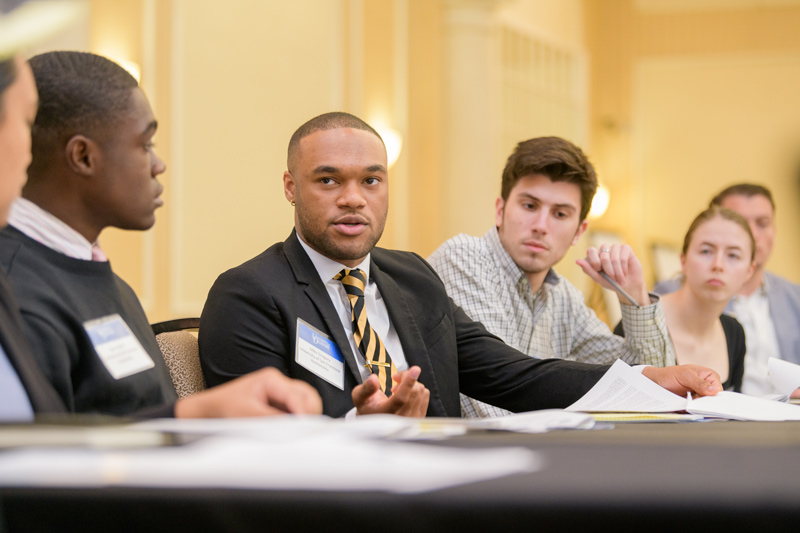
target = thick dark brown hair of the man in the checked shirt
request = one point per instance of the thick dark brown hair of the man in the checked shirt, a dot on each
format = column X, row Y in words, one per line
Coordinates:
column 556, row 158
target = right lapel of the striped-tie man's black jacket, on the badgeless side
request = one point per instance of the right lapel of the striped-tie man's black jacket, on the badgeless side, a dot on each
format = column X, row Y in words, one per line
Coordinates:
column 405, row 324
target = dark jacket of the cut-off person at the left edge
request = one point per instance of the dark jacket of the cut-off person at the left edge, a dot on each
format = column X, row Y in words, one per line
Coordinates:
column 42, row 395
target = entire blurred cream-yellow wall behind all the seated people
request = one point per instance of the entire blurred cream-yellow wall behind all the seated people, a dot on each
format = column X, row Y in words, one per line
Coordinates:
column 672, row 99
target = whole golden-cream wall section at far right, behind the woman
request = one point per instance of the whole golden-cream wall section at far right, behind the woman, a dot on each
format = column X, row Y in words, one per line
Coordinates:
column 688, row 98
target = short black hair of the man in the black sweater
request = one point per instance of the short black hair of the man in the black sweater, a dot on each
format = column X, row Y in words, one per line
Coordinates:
column 79, row 92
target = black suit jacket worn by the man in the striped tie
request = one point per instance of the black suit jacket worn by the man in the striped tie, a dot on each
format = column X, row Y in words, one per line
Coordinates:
column 250, row 322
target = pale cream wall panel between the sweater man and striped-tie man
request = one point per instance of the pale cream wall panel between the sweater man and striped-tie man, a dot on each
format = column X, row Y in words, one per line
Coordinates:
column 245, row 78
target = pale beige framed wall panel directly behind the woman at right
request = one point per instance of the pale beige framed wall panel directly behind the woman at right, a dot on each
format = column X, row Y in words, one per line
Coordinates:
column 702, row 124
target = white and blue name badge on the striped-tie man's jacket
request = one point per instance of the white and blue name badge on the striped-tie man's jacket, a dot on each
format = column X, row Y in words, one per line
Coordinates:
column 317, row 353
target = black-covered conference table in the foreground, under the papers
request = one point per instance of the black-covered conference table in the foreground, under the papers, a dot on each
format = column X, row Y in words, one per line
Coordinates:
column 697, row 476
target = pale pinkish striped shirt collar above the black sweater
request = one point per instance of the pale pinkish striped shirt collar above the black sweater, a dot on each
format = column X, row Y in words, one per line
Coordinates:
column 50, row 231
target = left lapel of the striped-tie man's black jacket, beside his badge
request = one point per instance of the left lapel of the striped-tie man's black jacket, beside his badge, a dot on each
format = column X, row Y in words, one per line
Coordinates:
column 306, row 274
